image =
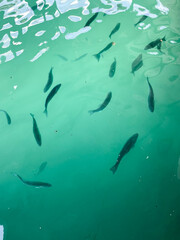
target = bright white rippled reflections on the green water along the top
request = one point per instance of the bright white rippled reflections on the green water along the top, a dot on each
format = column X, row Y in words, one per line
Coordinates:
column 19, row 16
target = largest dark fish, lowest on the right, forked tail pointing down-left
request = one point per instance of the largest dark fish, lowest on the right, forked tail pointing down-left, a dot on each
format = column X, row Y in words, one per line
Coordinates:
column 126, row 148
